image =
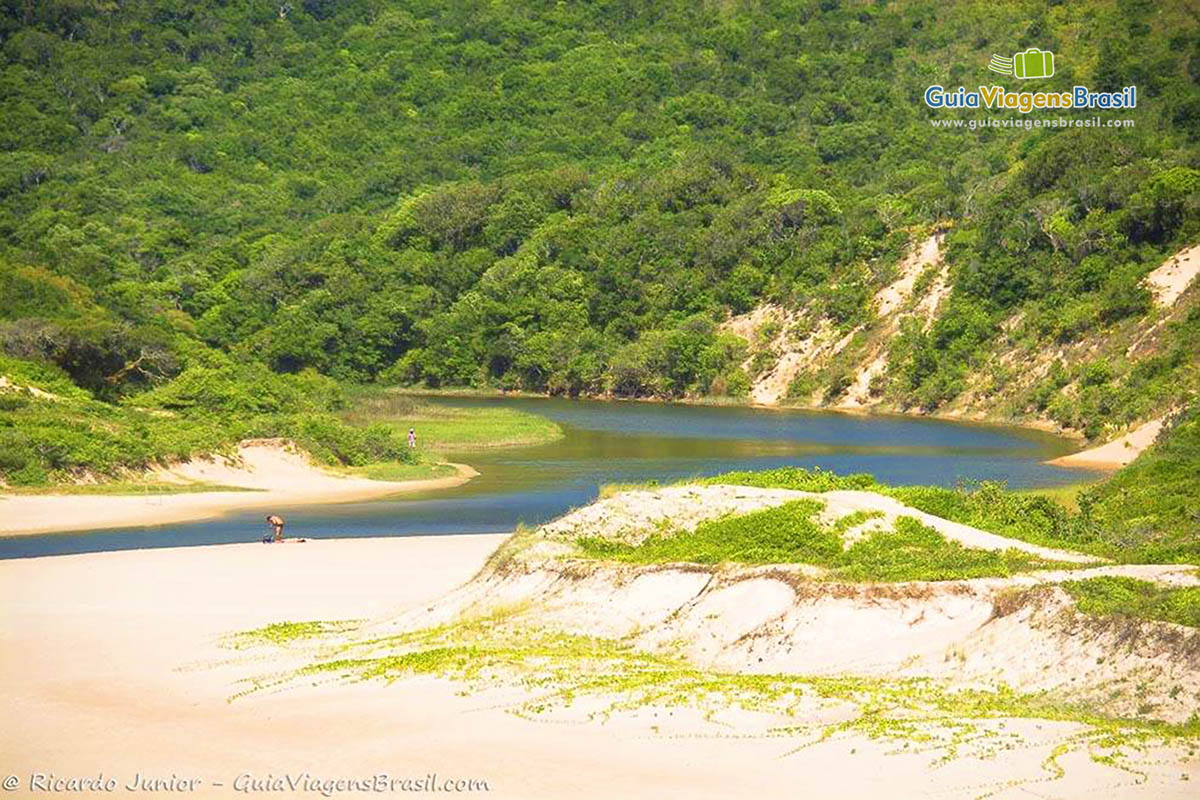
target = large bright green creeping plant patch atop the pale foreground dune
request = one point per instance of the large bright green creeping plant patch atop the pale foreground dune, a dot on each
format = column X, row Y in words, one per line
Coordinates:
column 793, row 534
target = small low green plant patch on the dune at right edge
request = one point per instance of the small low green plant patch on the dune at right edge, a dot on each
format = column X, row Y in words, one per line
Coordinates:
column 1111, row 596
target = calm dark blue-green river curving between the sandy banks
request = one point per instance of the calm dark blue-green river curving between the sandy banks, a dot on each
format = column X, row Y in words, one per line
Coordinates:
column 614, row 442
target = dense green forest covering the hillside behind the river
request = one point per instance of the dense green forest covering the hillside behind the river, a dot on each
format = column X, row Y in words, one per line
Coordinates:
column 566, row 197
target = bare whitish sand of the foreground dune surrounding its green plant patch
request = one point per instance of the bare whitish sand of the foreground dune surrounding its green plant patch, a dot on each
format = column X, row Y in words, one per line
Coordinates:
column 1022, row 631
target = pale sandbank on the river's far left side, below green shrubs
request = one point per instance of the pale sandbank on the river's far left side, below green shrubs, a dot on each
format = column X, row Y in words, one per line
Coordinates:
column 280, row 478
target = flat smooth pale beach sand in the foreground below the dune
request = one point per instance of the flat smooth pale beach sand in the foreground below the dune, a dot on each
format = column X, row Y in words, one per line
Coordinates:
column 101, row 670
